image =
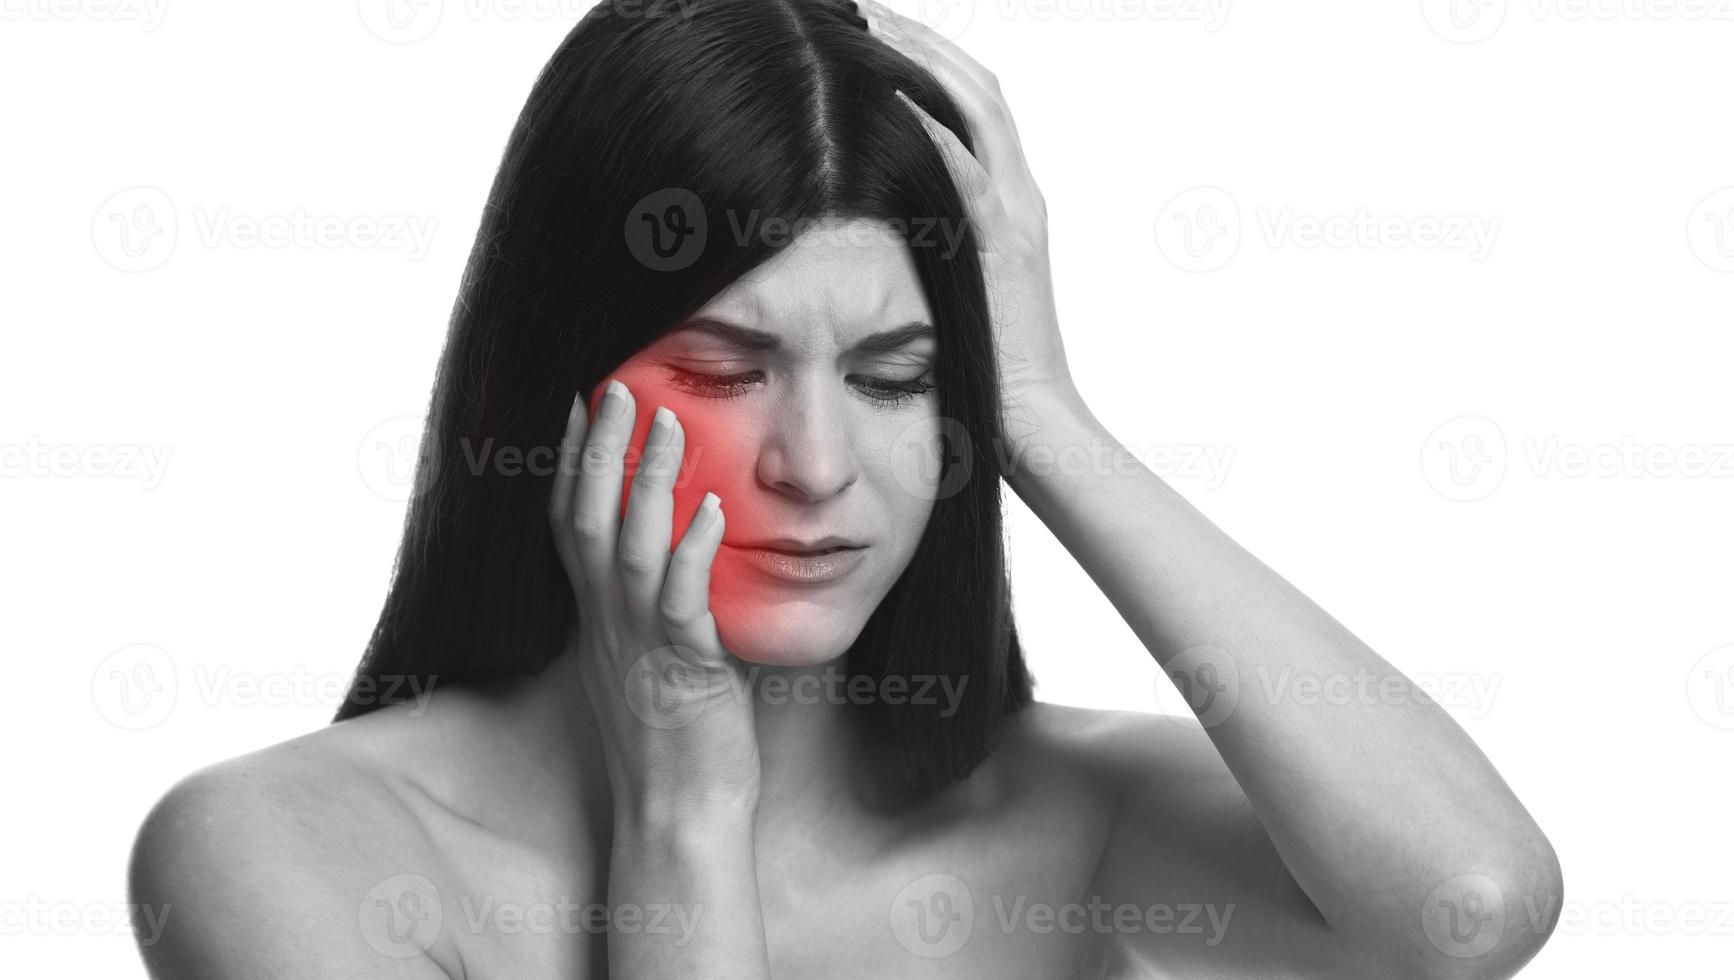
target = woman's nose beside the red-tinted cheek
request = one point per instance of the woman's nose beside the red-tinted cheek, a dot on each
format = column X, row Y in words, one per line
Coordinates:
column 809, row 454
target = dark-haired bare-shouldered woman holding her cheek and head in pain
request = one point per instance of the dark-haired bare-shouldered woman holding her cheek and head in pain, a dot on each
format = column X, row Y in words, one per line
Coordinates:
column 705, row 577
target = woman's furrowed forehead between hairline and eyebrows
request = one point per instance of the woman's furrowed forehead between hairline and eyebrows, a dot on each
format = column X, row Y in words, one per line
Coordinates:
column 838, row 280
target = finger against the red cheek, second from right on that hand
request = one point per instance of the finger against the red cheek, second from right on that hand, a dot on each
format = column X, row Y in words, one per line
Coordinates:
column 649, row 523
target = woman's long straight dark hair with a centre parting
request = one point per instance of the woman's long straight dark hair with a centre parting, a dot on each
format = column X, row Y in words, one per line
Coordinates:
column 719, row 112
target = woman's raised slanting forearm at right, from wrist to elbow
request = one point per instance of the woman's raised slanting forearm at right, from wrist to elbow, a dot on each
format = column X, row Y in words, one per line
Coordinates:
column 1372, row 802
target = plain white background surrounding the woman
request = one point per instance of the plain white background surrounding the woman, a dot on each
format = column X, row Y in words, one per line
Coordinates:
column 1570, row 599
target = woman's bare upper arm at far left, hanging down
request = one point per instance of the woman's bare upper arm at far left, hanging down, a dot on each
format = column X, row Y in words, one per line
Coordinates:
column 237, row 875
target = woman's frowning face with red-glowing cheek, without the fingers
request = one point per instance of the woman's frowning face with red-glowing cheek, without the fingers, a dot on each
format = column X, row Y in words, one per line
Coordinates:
column 805, row 395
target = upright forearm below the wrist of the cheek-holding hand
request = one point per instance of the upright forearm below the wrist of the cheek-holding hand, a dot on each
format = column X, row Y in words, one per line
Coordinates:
column 700, row 875
